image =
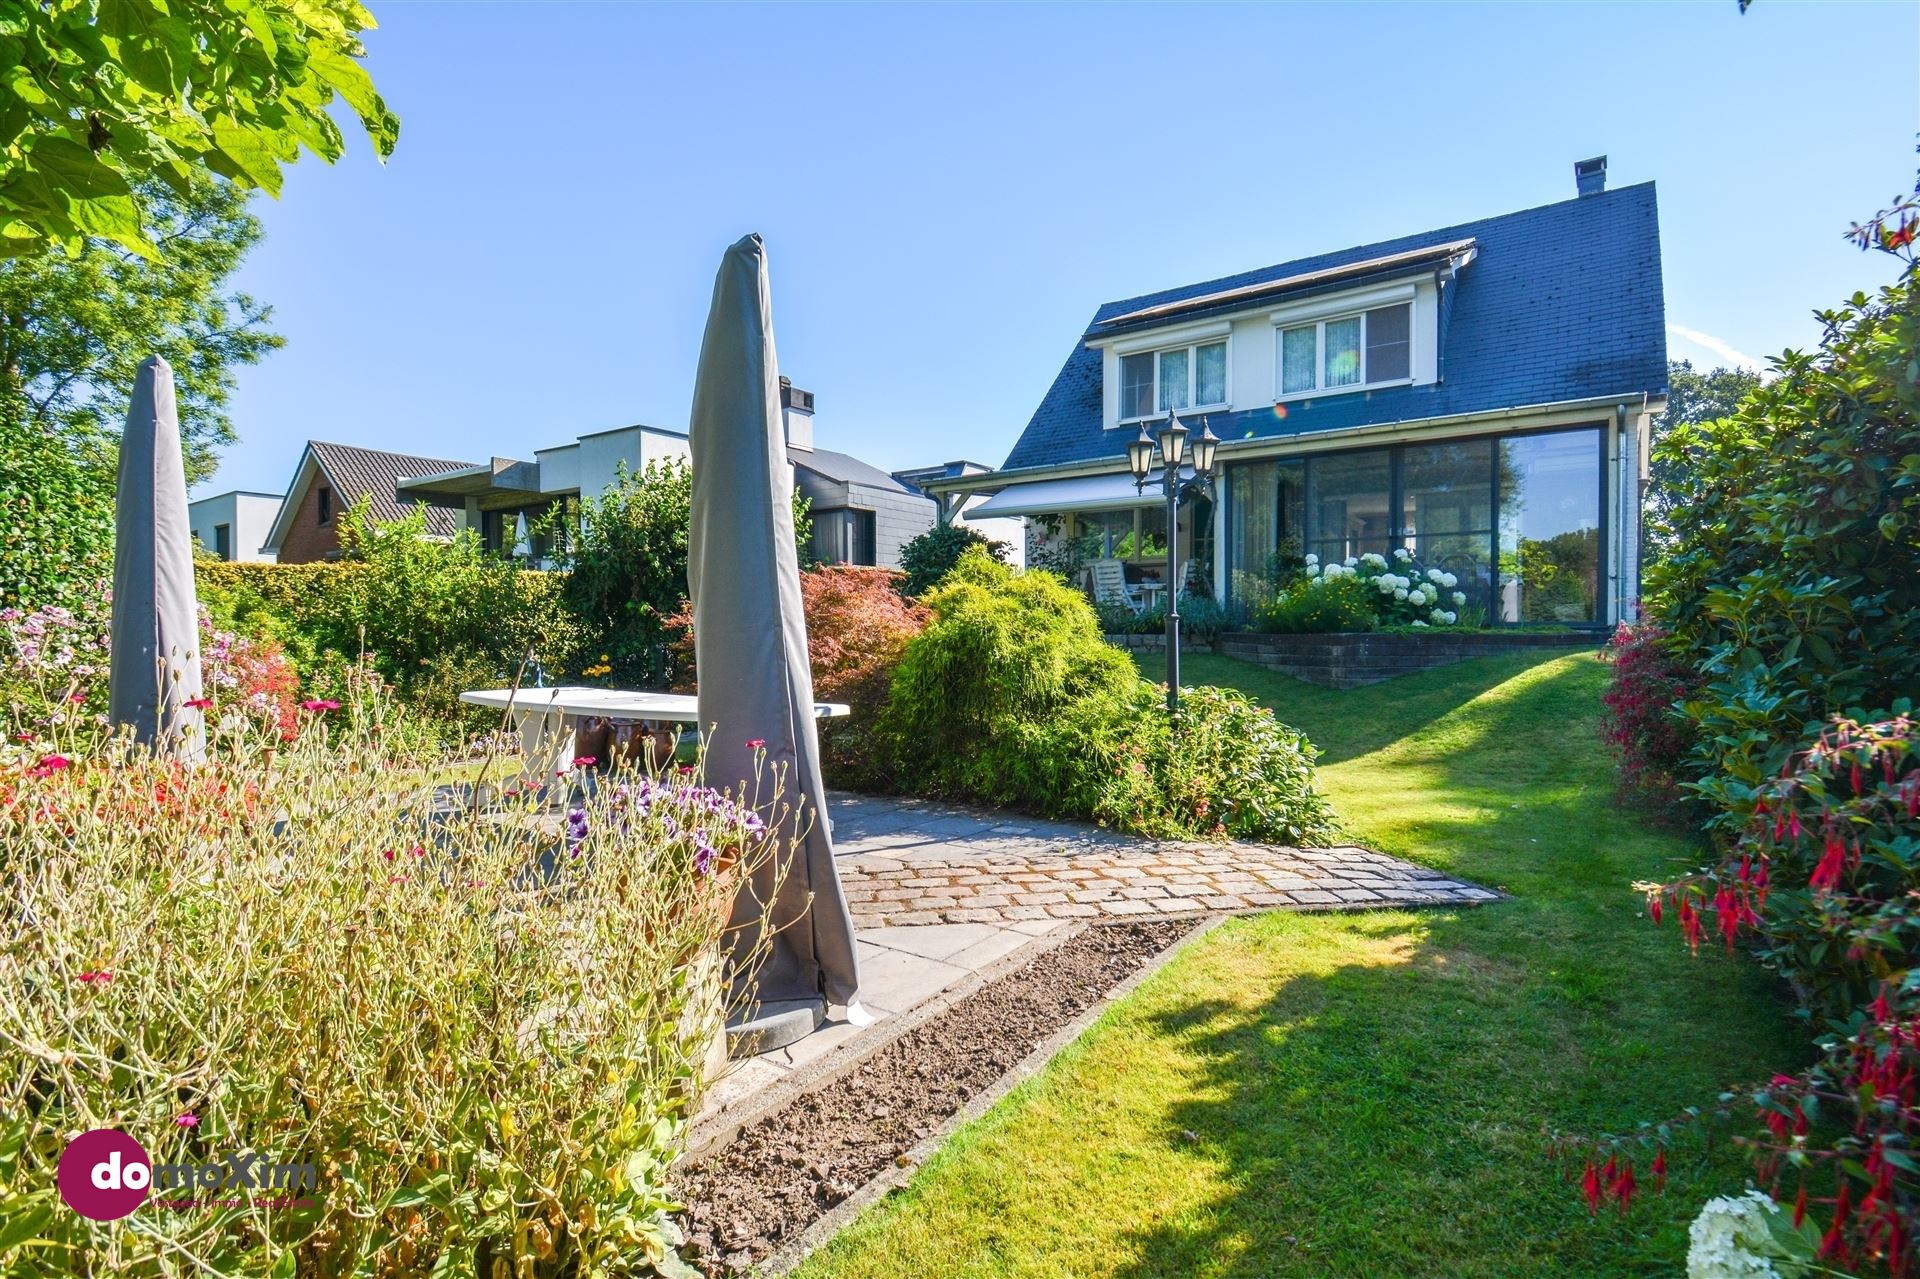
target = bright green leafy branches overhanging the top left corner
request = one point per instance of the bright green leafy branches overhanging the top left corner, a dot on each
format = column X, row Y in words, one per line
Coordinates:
column 103, row 99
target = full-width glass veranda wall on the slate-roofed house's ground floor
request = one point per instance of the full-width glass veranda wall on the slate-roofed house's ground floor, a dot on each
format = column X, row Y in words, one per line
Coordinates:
column 1518, row 519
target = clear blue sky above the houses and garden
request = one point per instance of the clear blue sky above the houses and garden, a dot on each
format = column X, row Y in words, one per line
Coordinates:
column 949, row 193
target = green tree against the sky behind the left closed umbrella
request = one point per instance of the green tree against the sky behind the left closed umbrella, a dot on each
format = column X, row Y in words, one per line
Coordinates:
column 76, row 329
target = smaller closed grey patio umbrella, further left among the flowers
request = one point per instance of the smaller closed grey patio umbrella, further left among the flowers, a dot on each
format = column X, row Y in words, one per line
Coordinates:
column 156, row 615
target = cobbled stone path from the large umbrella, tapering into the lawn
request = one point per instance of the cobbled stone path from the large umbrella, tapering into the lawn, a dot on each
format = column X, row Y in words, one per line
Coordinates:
column 915, row 863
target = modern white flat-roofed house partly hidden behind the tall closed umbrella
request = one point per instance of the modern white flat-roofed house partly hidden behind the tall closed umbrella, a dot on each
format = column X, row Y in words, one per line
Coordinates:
column 861, row 516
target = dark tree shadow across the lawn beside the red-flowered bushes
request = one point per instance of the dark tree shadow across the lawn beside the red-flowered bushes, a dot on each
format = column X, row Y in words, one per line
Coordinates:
column 1385, row 1115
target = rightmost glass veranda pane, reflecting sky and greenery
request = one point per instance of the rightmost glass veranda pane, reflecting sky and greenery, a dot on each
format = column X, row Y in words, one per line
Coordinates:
column 1550, row 527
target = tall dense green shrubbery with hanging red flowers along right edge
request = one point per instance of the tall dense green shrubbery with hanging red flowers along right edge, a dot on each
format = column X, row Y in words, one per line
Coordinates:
column 1792, row 614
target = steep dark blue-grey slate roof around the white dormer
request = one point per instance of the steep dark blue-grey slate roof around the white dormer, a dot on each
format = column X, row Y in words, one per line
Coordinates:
column 1564, row 302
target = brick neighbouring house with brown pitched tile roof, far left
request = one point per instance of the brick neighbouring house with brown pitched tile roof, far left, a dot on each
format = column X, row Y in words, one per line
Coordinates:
column 329, row 481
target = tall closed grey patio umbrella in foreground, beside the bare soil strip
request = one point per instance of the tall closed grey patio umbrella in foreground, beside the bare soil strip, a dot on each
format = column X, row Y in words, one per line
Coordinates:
column 750, row 640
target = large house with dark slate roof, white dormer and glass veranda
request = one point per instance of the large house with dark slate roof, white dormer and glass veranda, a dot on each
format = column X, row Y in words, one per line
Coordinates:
column 1479, row 395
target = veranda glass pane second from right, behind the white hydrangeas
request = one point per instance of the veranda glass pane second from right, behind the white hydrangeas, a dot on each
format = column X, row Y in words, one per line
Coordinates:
column 1447, row 516
